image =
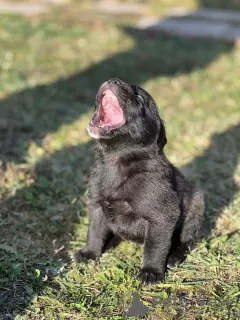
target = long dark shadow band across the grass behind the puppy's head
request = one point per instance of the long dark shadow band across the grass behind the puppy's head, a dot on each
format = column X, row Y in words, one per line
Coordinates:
column 29, row 115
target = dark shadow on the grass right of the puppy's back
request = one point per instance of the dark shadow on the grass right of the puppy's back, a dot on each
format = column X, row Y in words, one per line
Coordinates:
column 213, row 172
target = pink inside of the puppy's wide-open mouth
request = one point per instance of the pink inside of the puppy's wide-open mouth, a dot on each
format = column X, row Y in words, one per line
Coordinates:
column 110, row 113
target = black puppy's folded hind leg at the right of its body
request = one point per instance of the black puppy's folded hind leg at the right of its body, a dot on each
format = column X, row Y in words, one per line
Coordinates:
column 190, row 232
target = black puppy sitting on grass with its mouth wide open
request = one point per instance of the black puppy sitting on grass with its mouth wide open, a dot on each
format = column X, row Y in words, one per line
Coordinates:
column 135, row 192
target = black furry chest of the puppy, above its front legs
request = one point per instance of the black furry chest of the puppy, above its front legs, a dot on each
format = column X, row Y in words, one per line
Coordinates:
column 119, row 193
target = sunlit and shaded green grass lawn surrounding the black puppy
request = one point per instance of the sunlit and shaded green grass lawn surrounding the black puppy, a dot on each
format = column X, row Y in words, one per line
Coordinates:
column 50, row 71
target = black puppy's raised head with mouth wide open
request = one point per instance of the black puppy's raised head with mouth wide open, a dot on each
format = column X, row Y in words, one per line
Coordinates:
column 126, row 113
